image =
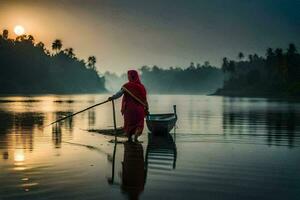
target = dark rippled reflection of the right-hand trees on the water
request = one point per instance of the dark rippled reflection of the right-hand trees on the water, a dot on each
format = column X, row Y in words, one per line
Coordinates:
column 276, row 125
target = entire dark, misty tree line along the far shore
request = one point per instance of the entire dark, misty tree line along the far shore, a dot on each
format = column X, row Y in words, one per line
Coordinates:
column 27, row 66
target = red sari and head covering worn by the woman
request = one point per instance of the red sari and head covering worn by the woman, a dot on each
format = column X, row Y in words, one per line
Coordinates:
column 133, row 111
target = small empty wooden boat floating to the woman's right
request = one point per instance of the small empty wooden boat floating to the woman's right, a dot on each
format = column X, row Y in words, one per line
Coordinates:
column 161, row 123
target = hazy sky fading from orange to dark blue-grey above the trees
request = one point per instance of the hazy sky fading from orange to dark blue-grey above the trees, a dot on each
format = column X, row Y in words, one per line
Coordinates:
column 127, row 34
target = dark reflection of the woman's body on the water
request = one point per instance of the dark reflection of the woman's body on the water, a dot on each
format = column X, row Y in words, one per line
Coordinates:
column 133, row 167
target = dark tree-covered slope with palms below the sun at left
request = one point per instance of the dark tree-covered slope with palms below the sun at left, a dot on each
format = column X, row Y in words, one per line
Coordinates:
column 27, row 67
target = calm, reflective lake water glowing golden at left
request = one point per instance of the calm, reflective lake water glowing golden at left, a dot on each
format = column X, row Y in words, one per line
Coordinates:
column 223, row 148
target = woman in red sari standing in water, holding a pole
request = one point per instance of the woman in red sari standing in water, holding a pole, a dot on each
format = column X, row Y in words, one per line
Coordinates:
column 134, row 105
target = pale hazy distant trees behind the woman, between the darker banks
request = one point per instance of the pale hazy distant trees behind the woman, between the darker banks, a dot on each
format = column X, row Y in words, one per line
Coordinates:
column 193, row 79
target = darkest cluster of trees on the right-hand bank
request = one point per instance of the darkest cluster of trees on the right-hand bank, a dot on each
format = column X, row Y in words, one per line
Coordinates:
column 277, row 74
